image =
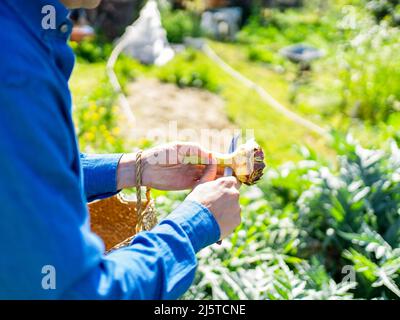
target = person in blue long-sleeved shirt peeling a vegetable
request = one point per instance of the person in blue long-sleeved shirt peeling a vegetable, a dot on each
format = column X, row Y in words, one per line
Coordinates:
column 45, row 182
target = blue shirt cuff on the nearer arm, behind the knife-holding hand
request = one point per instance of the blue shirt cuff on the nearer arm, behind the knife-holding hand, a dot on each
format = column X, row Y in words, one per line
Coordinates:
column 198, row 223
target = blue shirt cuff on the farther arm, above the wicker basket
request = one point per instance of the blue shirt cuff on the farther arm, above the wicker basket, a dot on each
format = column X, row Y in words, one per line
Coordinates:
column 100, row 174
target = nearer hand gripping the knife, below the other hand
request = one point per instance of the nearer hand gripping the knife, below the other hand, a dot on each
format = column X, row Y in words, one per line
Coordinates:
column 221, row 197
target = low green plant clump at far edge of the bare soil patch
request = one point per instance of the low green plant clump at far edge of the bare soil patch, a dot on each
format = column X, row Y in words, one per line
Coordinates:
column 184, row 71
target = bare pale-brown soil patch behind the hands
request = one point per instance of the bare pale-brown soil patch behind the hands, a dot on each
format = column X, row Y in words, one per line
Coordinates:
column 166, row 112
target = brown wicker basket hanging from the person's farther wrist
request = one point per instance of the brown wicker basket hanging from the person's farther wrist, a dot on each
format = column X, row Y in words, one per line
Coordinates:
column 117, row 220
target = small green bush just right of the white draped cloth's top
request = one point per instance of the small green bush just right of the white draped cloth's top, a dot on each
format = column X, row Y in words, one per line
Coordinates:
column 180, row 24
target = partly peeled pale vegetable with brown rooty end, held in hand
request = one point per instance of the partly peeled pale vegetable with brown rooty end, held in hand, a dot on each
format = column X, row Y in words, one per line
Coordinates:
column 247, row 162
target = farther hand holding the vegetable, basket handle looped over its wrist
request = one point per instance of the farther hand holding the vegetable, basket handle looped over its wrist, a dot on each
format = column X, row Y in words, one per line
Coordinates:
column 166, row 167
